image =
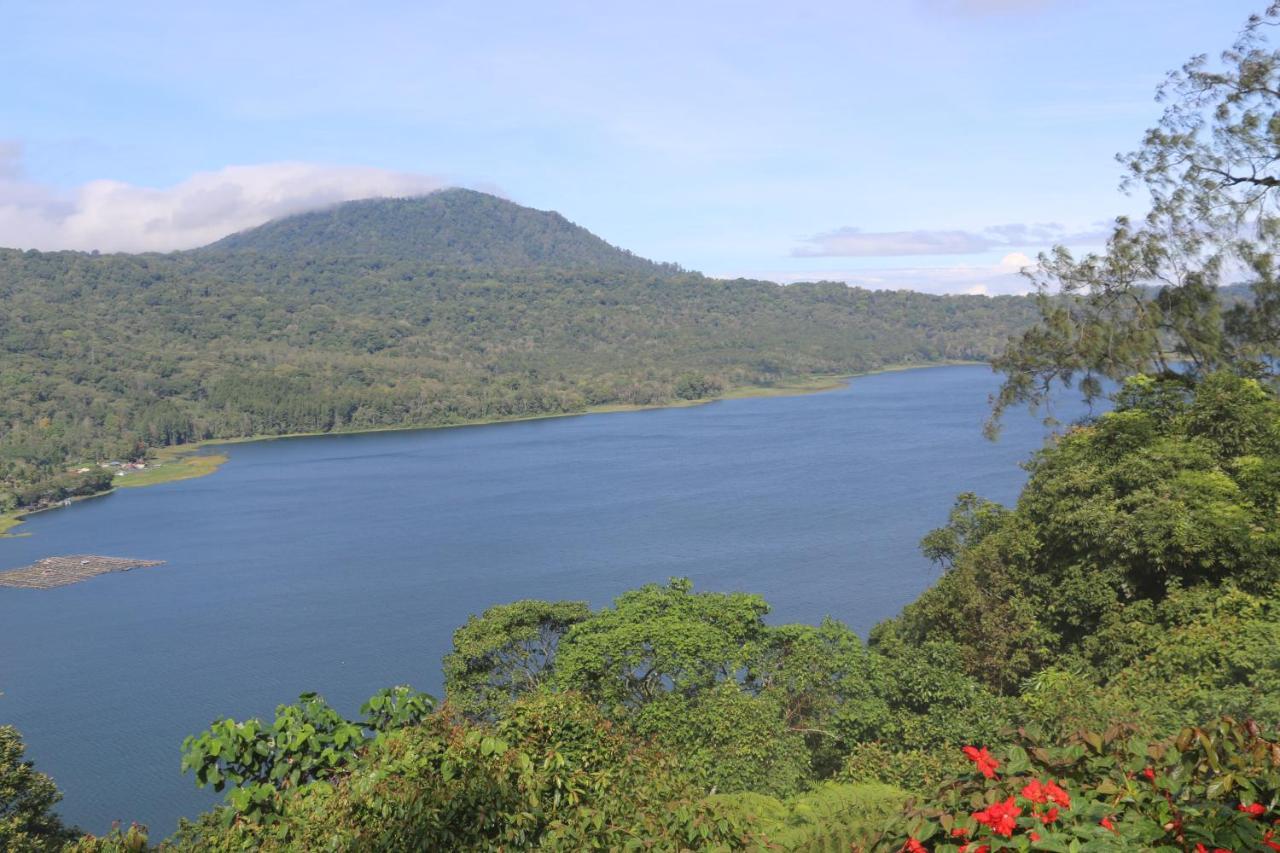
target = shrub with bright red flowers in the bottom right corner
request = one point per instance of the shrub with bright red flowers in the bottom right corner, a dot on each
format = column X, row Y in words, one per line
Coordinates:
column 1215, row 787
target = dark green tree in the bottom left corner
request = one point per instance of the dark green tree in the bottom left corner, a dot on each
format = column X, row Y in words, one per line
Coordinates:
column 28, row 801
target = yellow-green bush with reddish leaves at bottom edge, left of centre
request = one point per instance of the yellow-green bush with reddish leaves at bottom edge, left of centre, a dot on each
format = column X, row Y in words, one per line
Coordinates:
column 555, row 774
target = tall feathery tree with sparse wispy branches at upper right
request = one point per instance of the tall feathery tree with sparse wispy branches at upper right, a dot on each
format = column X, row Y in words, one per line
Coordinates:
column 1153, row 302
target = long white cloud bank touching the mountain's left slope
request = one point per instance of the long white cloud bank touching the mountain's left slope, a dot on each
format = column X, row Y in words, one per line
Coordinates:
column 112, row 216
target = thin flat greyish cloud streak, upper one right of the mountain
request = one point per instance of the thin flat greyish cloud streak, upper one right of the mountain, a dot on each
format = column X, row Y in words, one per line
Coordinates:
column 852, row 243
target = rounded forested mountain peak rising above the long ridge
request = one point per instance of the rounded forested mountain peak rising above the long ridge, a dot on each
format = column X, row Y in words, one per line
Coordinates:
column 456, row 227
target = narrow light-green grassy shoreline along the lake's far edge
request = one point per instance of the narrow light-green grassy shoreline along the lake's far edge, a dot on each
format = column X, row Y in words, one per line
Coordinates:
column 185, row 462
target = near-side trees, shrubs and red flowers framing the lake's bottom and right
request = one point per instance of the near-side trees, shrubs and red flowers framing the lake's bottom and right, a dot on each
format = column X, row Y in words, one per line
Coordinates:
column 1098, row 669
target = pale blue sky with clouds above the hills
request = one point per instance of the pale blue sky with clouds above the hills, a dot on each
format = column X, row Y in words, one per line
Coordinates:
column 935, row 145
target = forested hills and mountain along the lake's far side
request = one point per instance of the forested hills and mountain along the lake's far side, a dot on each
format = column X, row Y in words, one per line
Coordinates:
column 400, row 321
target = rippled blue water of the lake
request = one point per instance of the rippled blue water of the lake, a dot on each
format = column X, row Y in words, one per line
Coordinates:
column 342, row 564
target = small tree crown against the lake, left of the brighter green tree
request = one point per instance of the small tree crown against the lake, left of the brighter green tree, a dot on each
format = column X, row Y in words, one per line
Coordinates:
column 508, row 651
